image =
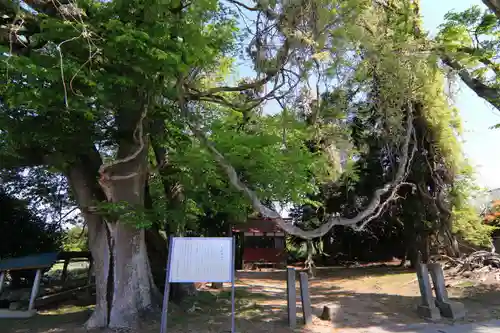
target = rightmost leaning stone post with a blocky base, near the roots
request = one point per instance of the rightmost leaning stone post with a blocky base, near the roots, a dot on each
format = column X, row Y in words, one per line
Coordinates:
column 448, row 309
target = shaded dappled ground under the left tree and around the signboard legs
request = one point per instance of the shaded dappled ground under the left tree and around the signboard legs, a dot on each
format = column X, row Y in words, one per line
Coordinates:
column 208, row 312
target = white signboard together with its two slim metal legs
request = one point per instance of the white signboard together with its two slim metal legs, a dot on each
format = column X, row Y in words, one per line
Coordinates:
column 199, row 259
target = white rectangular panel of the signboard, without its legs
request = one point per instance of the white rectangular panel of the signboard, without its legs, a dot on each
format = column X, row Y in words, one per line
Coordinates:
column 199, row 259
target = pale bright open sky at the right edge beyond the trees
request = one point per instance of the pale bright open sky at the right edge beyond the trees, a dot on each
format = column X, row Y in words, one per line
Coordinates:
column 477, row 115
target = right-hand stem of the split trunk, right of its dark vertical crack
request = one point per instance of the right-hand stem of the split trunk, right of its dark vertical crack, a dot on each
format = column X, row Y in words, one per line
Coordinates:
column 134, row 292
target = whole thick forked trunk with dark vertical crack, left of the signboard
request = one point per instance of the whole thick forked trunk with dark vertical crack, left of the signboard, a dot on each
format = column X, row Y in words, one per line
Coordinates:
column 124, row 285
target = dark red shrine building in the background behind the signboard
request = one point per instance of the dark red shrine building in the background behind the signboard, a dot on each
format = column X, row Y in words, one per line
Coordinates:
column 262, row 243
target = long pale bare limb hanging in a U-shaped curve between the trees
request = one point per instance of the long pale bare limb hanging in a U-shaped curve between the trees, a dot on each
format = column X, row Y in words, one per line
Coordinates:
column 332, row 219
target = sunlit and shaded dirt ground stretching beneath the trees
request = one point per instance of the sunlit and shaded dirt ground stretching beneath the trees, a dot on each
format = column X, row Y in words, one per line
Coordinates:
column 363, row 298
